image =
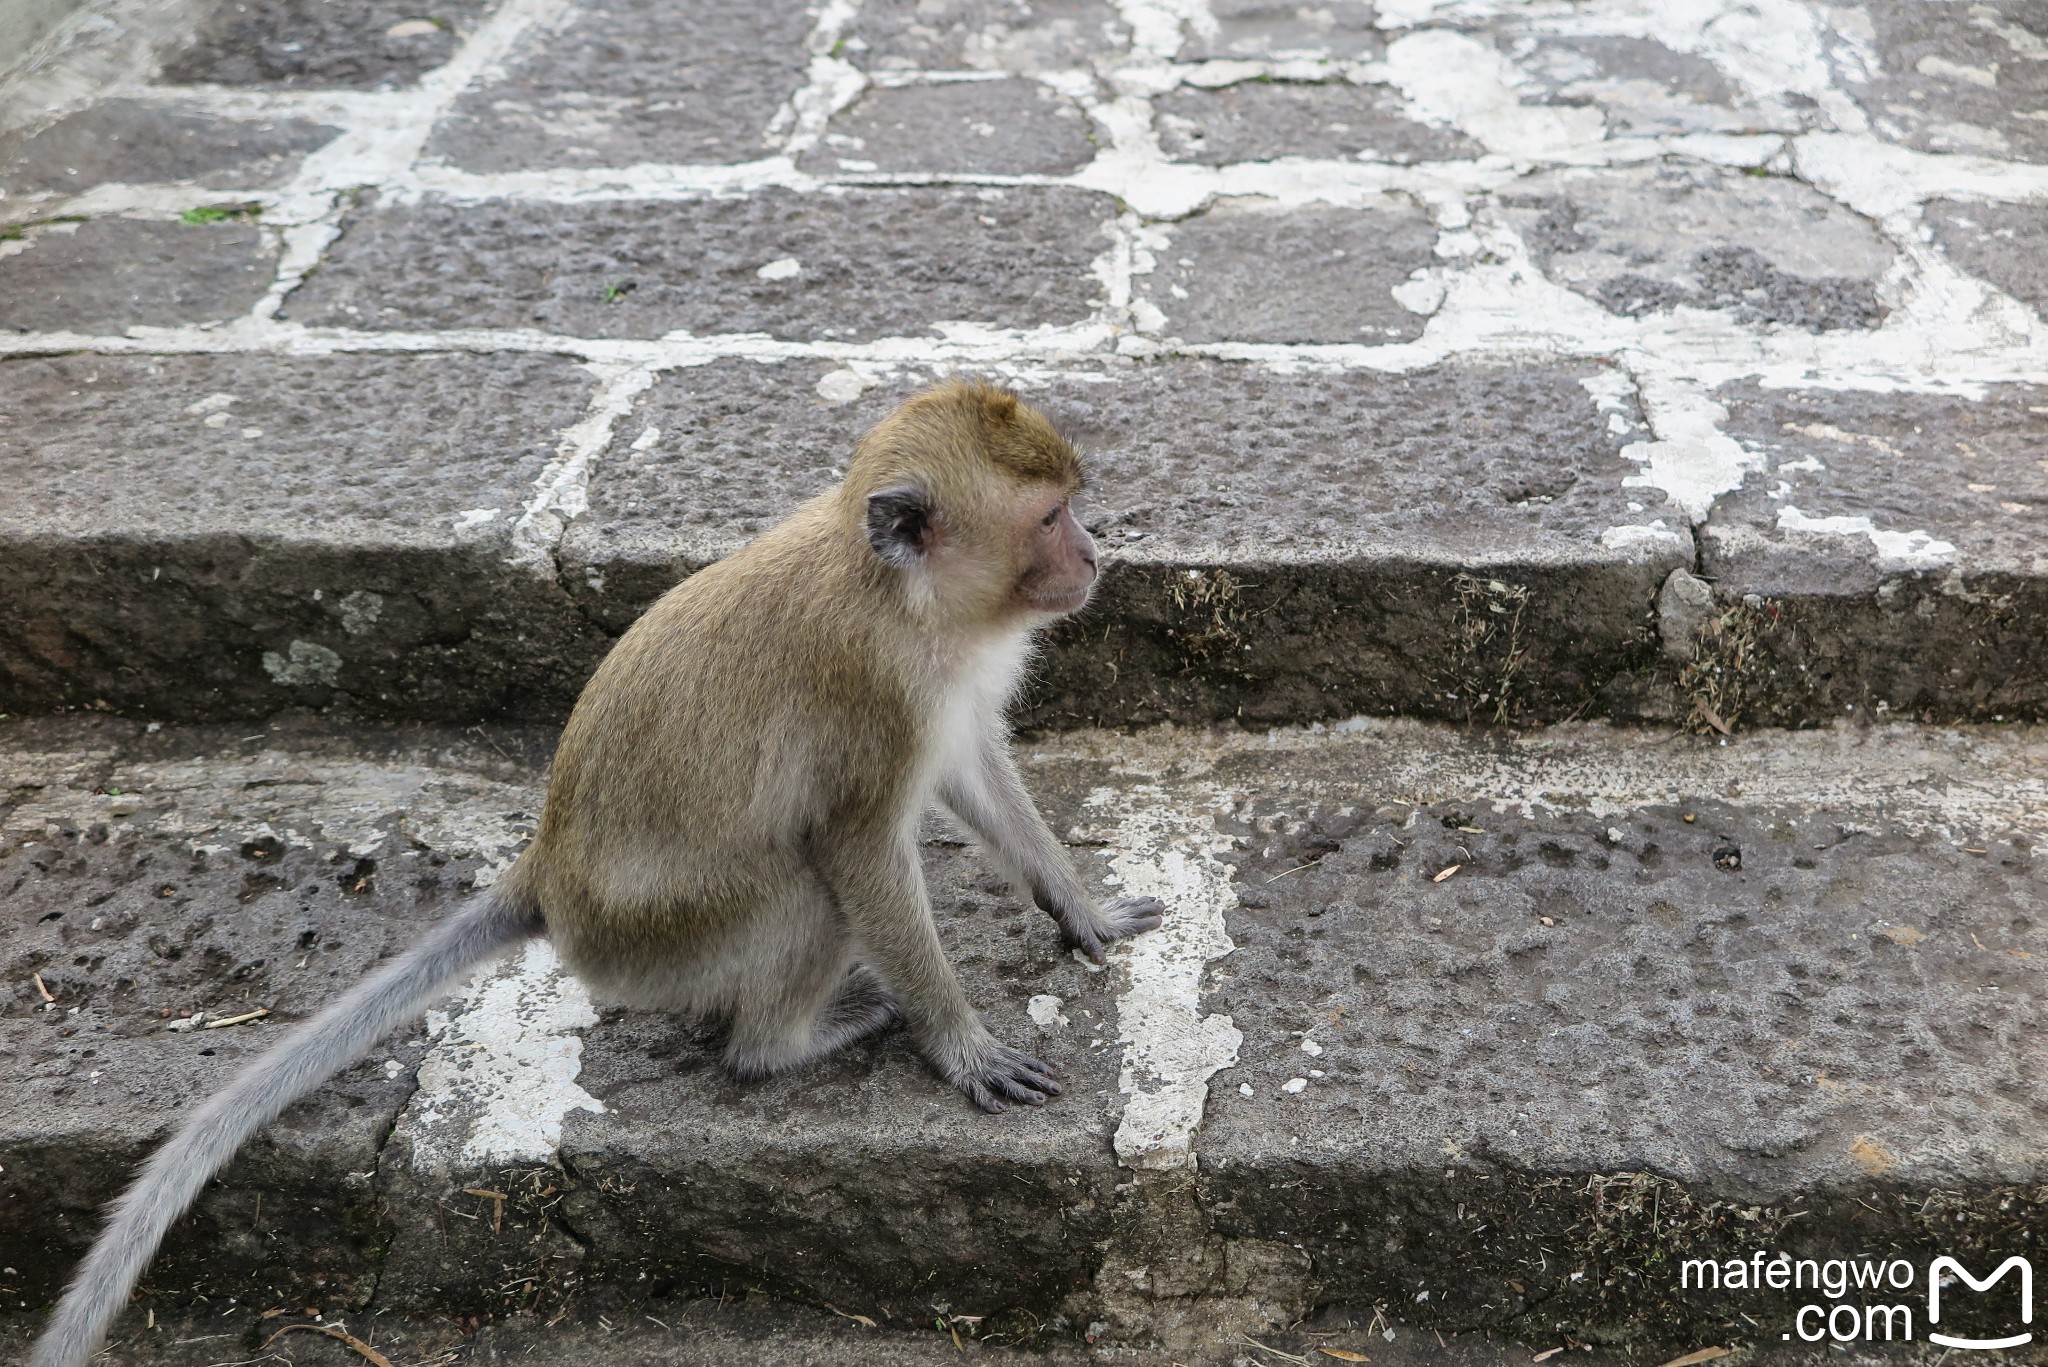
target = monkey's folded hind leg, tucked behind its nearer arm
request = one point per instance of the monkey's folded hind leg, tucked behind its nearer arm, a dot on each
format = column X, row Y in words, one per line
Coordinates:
column 800, row 991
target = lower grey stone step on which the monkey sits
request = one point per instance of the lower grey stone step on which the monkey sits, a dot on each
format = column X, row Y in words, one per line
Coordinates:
column 1486, row 1034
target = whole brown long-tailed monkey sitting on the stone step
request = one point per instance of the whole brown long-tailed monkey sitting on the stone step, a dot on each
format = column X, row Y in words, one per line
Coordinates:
column 734, row 806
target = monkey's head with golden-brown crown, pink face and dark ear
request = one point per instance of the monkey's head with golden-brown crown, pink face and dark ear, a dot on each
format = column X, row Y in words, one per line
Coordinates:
column 966, row 493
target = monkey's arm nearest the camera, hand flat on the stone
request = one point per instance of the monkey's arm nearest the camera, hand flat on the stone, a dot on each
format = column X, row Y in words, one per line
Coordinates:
column 880, row 884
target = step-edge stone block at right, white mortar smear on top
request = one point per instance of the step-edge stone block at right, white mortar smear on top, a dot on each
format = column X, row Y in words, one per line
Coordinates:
column 1887, row 618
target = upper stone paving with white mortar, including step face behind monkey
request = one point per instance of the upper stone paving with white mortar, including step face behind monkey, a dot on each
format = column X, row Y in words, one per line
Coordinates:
column 392, row 356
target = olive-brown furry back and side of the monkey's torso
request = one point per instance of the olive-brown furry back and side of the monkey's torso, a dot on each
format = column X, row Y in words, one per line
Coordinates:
column 685, row 792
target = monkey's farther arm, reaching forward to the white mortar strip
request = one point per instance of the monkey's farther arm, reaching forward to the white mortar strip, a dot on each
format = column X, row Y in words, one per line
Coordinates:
column 988, row 794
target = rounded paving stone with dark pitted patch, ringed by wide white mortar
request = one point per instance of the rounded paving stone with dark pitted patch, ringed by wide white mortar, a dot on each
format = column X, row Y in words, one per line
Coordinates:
column 1666, row 235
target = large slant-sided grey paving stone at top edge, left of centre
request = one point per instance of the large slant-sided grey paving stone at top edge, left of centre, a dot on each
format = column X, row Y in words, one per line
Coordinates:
column 636, row 81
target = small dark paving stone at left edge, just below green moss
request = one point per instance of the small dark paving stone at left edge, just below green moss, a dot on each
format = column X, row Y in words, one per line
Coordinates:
column 112, row 276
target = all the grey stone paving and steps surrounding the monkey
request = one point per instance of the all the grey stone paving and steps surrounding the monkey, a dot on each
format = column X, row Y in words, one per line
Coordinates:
column 368, row 366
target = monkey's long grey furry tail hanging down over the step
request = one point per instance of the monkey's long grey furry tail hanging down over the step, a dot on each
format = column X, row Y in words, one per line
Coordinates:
column 306, row 1059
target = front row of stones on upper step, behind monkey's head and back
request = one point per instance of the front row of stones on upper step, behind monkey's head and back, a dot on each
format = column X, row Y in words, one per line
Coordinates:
column 364, row 534
